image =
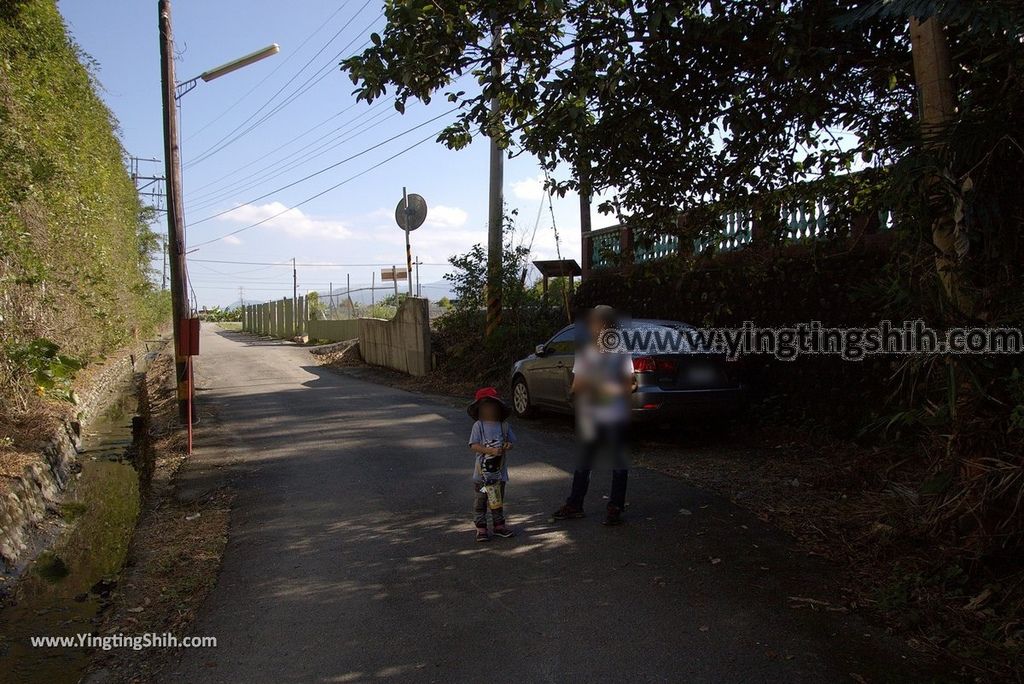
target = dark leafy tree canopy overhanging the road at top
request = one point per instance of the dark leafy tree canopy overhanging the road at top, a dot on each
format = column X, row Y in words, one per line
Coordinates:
column 667, row 104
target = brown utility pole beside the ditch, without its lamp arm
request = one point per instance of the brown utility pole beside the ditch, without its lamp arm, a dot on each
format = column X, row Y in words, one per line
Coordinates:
column 176, row 207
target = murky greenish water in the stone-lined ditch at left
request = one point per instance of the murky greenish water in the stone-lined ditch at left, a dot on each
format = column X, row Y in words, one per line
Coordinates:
column 62, row 593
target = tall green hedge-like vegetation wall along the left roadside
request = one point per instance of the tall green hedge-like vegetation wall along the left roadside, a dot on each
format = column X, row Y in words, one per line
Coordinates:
column 75, row 244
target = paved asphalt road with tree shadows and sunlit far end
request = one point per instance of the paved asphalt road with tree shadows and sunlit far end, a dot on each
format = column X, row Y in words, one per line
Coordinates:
column 352, row 554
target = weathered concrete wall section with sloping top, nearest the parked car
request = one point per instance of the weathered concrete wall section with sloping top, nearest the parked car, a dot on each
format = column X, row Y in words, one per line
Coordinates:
column 403, row 344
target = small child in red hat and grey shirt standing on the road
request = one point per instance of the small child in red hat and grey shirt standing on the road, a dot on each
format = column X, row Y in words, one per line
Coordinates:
column 491, row 439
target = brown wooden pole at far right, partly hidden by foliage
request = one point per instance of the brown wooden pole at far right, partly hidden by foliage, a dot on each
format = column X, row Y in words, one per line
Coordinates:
column 932, row 69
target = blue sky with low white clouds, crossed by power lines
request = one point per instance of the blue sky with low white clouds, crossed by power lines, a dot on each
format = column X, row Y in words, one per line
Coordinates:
column 315, row 124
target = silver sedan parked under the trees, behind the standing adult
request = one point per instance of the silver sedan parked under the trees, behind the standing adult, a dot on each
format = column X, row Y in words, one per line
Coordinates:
column 675, row 386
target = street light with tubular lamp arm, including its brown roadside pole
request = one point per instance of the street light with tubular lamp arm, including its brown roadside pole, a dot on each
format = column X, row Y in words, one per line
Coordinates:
column 172, row 92
